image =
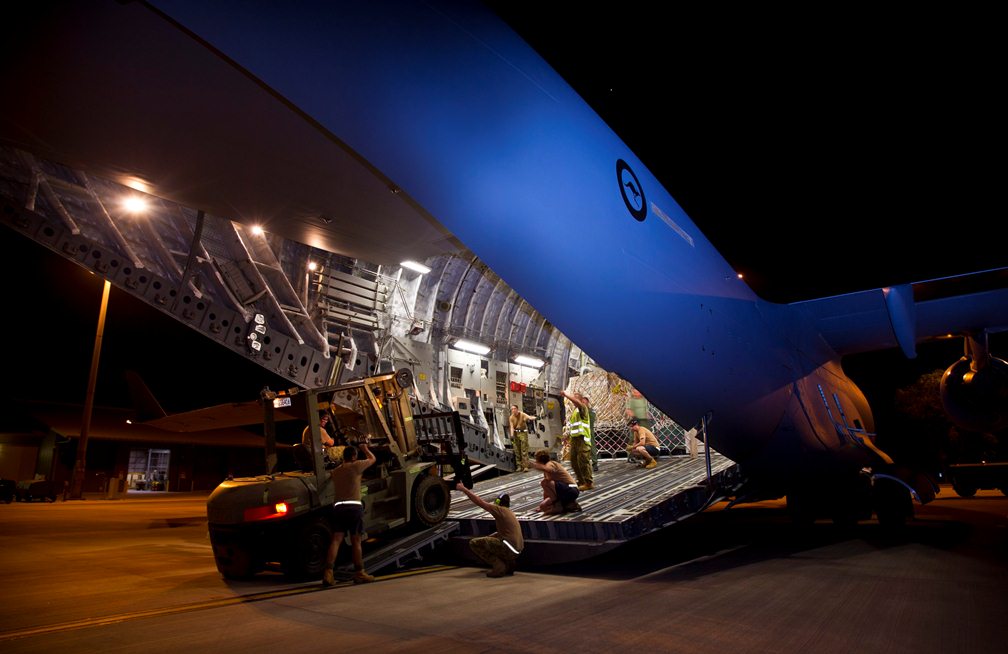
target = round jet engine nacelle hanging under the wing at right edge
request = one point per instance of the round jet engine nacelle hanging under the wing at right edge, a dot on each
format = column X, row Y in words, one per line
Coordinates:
column 977, row 400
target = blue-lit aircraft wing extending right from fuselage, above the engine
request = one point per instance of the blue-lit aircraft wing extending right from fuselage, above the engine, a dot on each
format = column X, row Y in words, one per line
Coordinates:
column 909, row 314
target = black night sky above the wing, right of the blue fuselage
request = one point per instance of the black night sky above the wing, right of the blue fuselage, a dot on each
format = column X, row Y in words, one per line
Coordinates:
column 822, row 152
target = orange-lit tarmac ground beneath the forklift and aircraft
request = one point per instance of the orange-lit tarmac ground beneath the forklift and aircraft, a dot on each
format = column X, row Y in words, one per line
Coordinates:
column 138, row 576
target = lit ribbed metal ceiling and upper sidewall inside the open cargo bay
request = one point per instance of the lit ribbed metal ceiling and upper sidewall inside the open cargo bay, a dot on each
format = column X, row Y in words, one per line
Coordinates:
column 225, row 279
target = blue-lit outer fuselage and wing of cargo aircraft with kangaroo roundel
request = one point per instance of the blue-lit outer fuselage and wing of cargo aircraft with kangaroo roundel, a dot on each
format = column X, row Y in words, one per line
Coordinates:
column 404, row 130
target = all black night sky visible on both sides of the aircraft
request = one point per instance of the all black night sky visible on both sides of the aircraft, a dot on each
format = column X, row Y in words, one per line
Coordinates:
column 820, row 154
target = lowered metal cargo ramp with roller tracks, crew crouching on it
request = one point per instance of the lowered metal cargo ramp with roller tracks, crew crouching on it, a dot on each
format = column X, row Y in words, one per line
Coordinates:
column 626, row 503
